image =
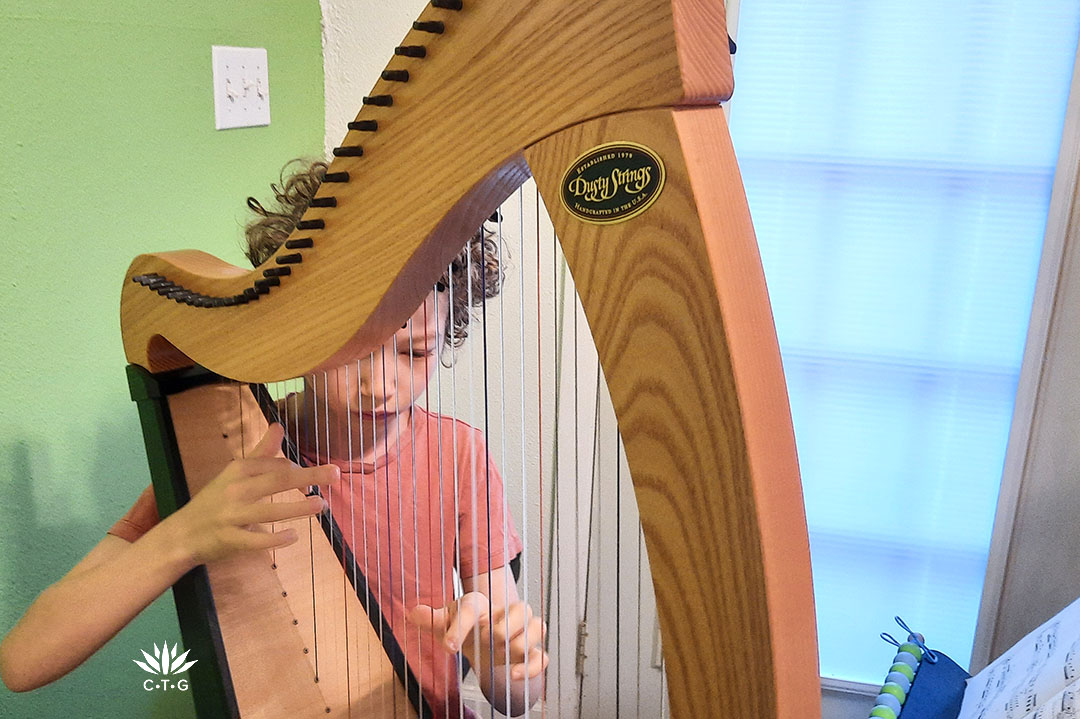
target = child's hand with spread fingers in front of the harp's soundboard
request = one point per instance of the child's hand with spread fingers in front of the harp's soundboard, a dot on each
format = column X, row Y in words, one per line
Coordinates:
column 224, row 519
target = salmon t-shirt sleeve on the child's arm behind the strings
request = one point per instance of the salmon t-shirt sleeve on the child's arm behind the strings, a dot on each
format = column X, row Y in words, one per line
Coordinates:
column 484, row 544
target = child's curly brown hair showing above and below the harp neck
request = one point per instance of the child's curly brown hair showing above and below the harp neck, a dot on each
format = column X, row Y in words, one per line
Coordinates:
column 271, row 228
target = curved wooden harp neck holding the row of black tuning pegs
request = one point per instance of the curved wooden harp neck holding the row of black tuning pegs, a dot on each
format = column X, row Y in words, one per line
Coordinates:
column 505, row 75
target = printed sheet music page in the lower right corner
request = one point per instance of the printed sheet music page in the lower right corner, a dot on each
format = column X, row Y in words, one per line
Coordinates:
column 1036, row 680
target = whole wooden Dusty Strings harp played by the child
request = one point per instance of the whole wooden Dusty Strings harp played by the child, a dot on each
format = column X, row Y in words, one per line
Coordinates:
column 614, row 110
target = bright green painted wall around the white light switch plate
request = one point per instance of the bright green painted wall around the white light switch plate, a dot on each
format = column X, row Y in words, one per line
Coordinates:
column 109, row 150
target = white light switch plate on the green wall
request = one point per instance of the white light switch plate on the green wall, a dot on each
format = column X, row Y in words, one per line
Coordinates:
column 241, row 88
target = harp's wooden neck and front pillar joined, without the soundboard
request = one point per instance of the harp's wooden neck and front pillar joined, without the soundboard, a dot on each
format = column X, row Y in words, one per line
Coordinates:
column 676, row 297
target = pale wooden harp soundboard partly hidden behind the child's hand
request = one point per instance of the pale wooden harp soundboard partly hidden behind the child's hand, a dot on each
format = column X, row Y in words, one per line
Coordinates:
column 259, row 595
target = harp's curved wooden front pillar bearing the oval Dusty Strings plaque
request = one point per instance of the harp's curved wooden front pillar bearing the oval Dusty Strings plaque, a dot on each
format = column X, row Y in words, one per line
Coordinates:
column 678, row 305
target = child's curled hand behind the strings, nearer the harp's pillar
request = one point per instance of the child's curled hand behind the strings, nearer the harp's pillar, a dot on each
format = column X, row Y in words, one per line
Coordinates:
column 472, row 626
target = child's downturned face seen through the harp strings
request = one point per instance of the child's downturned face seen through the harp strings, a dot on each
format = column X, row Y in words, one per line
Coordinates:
column 386, row 384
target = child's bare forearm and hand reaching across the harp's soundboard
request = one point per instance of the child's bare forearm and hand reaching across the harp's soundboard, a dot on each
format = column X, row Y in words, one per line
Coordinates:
column 75, row 617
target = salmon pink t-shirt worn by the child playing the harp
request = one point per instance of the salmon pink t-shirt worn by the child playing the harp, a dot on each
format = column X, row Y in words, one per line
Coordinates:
column 411, row 518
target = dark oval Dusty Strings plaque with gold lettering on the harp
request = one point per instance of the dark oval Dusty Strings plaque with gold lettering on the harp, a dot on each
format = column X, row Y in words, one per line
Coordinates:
column 613, row 183
